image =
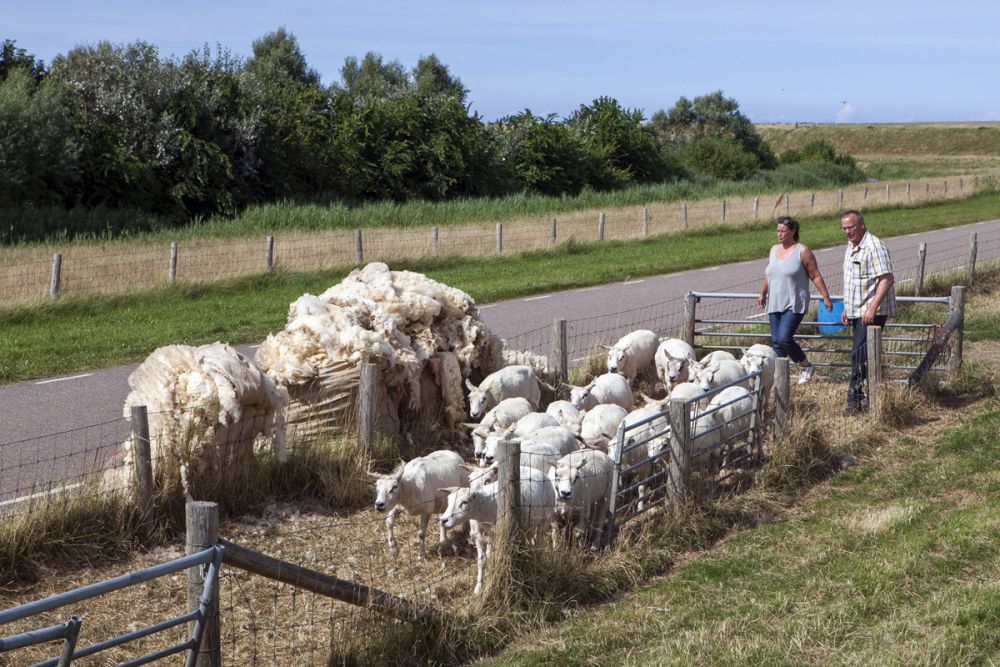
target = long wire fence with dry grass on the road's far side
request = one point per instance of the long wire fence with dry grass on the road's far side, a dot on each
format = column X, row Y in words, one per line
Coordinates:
column 31, row 273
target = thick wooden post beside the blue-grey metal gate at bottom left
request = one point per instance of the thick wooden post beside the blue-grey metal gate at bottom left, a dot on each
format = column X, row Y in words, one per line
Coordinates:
column 203, row 533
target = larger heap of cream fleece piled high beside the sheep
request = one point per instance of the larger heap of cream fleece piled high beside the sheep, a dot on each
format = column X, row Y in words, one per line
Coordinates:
column 419, row 331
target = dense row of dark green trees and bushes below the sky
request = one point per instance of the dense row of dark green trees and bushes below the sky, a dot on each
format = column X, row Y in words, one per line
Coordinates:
column 117, row 126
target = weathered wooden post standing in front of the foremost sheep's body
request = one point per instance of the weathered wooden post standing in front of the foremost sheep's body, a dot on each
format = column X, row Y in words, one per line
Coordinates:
column 508, row 543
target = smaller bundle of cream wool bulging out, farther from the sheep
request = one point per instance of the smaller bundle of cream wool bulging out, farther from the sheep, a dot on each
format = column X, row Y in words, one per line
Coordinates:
column 209, row 409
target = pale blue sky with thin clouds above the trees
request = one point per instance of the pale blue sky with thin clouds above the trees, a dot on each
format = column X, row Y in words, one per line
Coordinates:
column 782, row 61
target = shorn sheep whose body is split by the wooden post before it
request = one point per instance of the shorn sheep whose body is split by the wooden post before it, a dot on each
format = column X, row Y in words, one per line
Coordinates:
column 537, row 502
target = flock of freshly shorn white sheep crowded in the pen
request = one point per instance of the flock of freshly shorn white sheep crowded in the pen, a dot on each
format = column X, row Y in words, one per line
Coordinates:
column 568, row 452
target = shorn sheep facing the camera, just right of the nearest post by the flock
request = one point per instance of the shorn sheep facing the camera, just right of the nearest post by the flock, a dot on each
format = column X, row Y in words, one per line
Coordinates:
column 582, row 481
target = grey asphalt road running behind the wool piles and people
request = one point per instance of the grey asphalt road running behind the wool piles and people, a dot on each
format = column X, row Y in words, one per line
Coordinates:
column 53, row 425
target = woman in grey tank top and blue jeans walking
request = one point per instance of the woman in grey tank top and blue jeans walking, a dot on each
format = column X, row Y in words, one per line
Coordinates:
column 785, row 293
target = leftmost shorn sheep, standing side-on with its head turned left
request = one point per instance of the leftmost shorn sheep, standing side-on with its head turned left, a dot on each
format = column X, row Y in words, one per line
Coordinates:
column 413, row 487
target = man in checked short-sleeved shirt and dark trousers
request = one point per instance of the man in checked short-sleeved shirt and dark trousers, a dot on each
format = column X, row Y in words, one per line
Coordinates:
column 869, row 298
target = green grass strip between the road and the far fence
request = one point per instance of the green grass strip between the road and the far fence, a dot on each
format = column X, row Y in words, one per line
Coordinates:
column 78, row 333
